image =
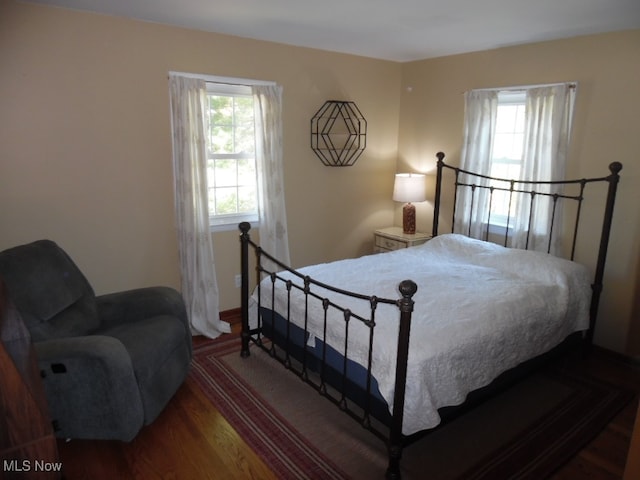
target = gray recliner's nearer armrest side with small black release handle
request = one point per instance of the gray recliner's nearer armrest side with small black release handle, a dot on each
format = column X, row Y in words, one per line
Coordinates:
column 91, row 387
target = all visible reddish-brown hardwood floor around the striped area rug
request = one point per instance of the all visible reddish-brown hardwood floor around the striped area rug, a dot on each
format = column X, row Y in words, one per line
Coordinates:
column 191, row 440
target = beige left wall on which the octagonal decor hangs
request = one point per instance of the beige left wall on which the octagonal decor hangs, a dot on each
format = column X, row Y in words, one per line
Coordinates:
column 85, row 142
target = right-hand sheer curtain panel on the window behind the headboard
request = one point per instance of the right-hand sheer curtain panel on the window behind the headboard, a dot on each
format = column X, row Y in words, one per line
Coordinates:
column 547, row 131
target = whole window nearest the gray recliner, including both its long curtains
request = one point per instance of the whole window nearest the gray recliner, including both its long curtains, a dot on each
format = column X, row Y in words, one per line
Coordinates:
column 215, row 144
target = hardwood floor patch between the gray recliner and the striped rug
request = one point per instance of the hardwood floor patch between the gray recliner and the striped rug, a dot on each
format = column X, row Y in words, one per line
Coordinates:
column 190, row 440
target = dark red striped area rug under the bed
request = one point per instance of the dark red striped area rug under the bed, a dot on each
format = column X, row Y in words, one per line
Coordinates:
column 526, row 432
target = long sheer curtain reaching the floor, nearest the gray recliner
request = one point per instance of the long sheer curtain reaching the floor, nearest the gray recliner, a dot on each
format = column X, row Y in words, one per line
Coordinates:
column 197, row 267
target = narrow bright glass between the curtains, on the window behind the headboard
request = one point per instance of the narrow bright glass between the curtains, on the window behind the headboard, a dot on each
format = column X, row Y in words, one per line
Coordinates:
column 506, row 158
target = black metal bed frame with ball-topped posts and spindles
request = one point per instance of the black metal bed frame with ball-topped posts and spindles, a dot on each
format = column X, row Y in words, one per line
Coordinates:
column 320, row 376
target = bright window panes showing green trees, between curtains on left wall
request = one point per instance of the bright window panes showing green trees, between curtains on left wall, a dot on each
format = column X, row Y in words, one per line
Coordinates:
column 231, row 155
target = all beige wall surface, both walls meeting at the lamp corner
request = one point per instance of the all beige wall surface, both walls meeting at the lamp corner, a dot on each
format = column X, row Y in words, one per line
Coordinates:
column 85, row 149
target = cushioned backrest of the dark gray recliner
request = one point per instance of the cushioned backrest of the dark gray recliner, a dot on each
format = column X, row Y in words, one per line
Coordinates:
column 50, row 292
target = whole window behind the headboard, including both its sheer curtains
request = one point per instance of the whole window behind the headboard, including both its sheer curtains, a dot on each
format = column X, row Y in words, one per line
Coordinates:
column 519, row 133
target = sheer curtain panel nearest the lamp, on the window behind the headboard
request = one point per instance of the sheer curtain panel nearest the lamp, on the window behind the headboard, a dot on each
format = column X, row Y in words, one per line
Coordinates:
column 481, row 111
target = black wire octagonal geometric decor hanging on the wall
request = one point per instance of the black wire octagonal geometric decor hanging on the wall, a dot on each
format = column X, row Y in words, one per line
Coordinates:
column 338, row 133
